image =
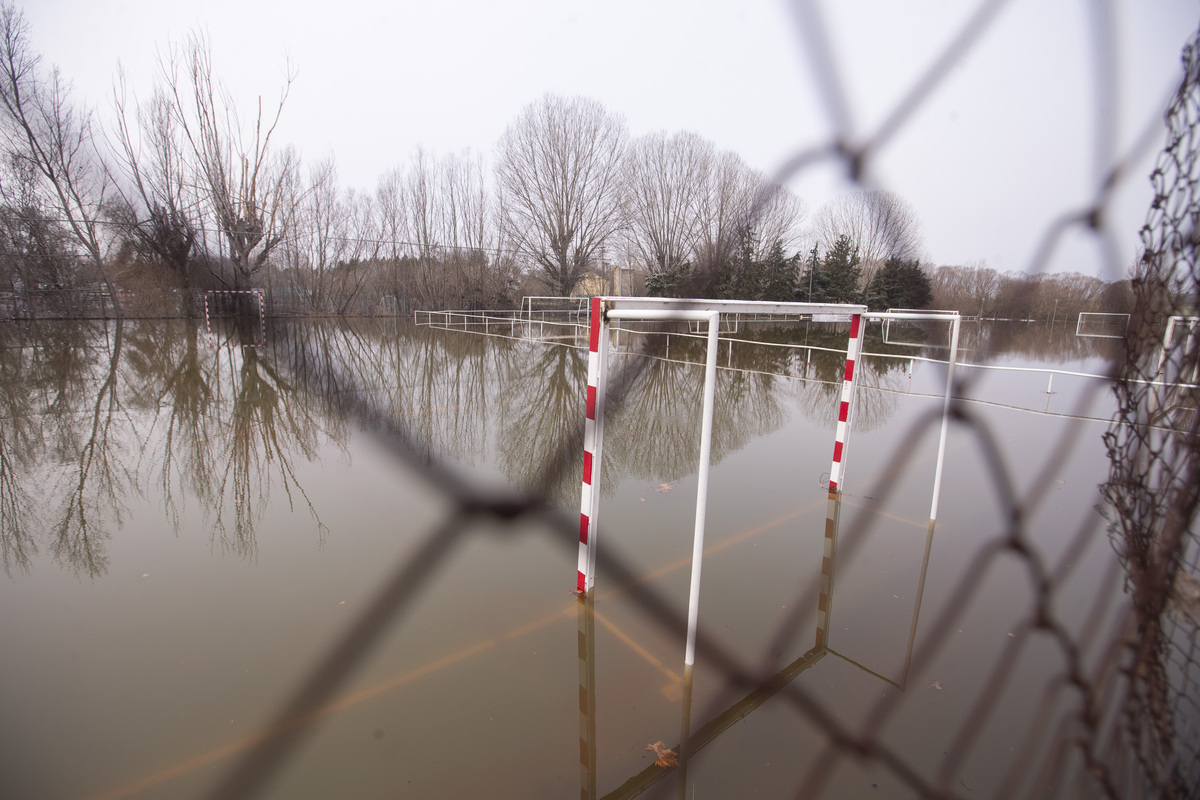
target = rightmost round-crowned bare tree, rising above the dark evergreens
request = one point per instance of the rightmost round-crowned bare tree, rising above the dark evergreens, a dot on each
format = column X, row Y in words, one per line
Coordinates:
column 880, row 225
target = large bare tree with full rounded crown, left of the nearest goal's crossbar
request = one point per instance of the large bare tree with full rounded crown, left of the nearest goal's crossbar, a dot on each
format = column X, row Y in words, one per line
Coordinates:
column 560, row 176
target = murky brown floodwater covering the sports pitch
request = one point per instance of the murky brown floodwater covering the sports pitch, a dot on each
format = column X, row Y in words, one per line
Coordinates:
column 194, row 536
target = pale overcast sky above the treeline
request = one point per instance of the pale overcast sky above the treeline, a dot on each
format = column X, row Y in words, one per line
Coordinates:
column 1006, row 143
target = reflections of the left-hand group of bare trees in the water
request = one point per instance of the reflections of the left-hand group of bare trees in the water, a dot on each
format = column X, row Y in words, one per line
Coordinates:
column 91, row 412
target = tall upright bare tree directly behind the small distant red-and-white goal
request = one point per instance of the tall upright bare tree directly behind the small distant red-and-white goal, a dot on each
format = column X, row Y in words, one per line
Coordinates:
column 244, row 176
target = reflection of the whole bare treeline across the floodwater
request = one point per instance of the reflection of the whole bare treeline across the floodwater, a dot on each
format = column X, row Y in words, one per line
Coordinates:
column 225, row 428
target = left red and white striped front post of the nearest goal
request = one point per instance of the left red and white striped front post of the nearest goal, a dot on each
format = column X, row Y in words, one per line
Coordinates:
column 593, row 447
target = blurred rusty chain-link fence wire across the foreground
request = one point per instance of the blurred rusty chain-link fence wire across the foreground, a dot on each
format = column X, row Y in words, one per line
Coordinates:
column 1131, row 673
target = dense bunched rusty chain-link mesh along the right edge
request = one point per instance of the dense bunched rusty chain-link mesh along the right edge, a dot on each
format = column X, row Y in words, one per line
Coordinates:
column 1154, row 484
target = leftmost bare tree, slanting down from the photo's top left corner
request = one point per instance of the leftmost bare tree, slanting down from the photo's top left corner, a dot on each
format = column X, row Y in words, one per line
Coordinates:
column 53, row 140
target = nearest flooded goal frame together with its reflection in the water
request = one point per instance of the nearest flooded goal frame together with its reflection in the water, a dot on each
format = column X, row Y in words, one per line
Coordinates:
column 605, row 310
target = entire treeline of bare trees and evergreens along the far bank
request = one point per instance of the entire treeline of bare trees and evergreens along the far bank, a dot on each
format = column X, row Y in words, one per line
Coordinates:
column 169, row 193
